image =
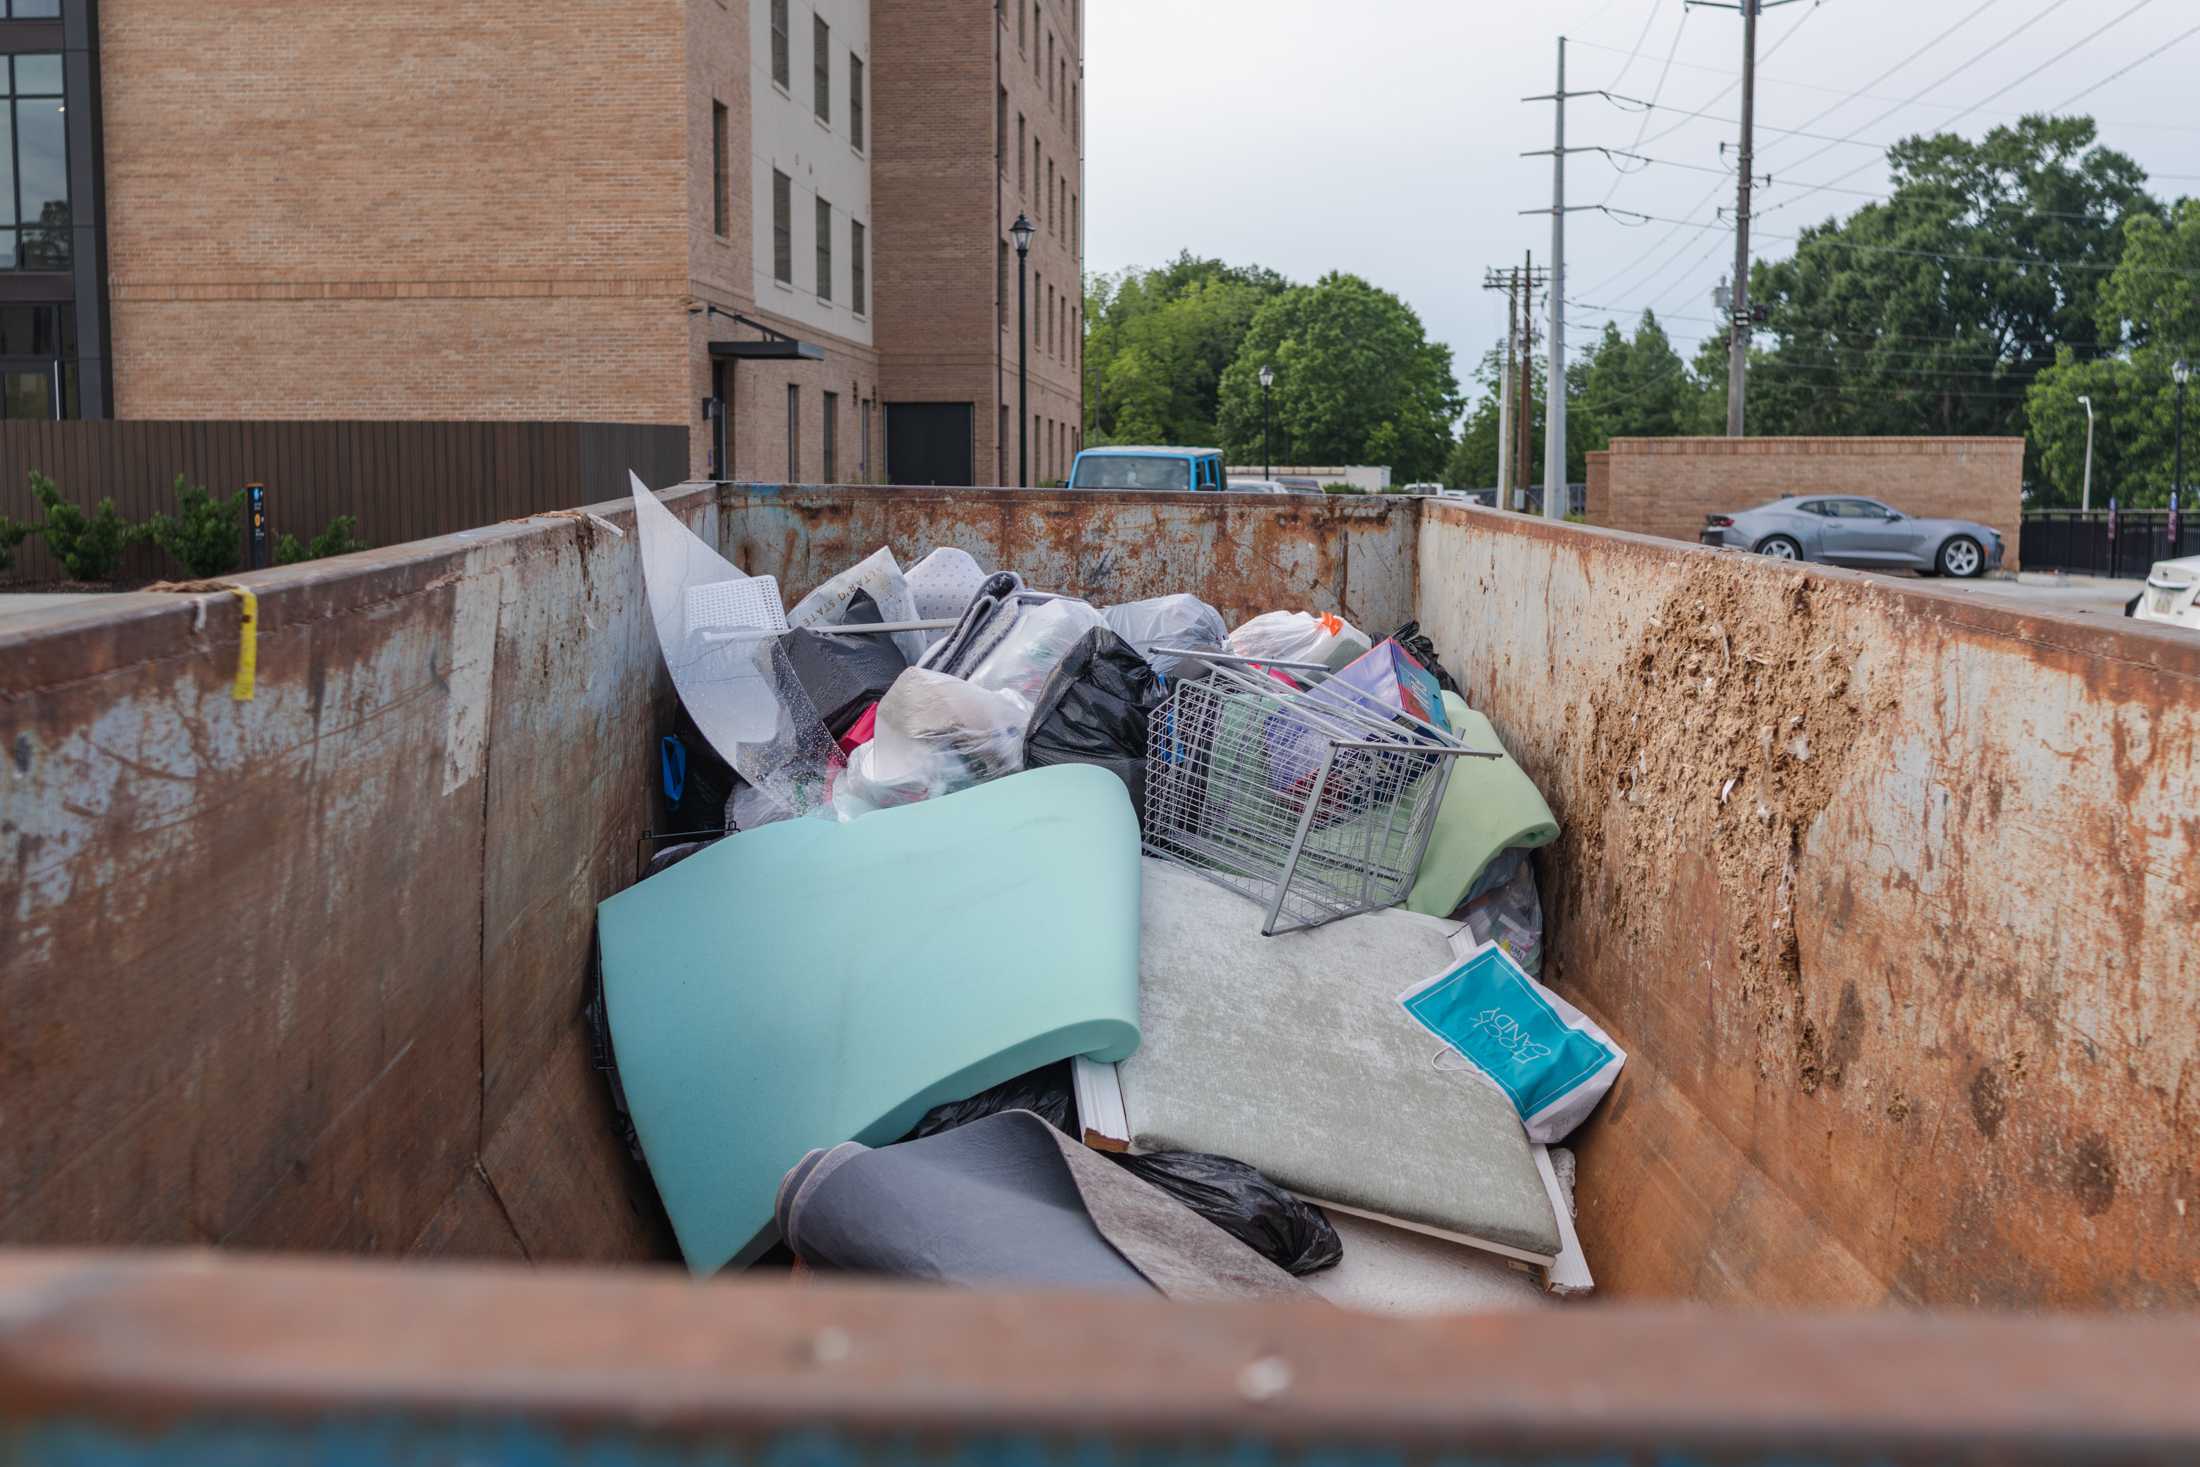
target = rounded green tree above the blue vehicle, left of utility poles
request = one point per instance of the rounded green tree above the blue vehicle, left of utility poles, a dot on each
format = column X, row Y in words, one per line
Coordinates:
column 1358, row 382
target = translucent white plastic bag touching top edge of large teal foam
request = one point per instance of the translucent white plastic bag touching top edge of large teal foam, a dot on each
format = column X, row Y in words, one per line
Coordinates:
column 936, row 736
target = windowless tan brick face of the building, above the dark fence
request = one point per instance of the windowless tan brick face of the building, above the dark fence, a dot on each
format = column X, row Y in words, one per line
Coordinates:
column 397, row 210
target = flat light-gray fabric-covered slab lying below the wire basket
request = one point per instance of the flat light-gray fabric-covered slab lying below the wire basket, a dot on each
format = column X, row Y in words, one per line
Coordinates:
column 1295, row 1057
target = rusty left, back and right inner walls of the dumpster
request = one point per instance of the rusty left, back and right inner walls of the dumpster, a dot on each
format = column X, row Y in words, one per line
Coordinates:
column 307, row 973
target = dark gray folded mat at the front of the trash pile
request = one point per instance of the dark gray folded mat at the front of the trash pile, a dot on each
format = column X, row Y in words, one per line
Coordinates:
column 1011, row 1202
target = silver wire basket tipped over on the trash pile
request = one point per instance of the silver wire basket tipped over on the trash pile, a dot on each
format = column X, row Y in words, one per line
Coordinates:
column 1312, row 802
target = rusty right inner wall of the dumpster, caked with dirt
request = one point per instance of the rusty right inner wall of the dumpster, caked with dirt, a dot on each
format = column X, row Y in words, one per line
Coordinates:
column 1889, row 896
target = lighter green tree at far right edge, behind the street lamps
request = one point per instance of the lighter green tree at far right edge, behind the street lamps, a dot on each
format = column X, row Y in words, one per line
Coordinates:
column 2150, row 311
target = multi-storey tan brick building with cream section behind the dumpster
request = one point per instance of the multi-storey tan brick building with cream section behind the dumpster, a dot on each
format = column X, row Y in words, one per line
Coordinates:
column 597, row 210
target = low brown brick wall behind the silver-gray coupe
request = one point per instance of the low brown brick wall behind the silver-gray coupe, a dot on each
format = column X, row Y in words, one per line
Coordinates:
column 1669, row 485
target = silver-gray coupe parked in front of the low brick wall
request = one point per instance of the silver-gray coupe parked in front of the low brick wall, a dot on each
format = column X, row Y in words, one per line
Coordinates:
column 1862, row 533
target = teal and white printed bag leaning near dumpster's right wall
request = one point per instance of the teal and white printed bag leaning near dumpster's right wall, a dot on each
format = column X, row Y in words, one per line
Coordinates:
column 1550, row 1059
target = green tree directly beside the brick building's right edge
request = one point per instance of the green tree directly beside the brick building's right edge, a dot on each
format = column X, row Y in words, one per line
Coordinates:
column 1158, row 342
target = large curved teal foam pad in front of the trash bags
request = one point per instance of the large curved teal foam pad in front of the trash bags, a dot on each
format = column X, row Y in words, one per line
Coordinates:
column 811, row 984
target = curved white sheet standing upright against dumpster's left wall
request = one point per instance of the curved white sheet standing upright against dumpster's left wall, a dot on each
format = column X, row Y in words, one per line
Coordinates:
column 716, row 630
